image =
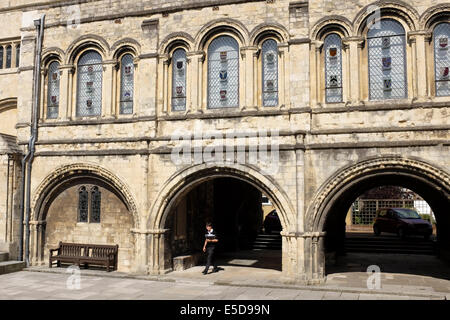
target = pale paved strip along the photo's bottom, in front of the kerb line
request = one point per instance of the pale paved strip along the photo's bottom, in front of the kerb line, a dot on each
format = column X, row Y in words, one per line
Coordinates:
column 41, row 285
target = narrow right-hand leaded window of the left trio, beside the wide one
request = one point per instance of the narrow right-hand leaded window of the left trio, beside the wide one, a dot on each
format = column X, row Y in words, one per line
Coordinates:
column 126, row 84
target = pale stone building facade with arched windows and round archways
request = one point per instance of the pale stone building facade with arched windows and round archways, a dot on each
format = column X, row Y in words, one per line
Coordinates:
column 357, row 92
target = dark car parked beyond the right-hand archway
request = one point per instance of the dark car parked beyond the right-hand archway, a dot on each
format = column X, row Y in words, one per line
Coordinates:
column 402, row 221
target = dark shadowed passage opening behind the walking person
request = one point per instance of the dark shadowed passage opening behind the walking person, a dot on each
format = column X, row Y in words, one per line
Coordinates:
column 239, row 213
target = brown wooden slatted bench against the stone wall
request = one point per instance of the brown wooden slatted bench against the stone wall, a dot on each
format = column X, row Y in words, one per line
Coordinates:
column 86, row 254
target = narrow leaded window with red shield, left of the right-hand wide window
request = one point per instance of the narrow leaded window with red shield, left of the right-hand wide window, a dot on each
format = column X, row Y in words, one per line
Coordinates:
column 333, row 68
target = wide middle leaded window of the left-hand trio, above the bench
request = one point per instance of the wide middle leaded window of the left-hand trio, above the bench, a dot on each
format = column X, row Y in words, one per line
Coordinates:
column 89, row 86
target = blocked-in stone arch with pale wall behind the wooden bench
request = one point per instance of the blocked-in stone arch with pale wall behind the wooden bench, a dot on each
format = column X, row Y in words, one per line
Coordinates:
column 55, row 215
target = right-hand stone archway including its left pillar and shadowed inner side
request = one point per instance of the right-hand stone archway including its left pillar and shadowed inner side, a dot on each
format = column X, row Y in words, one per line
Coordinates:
column 338, row 192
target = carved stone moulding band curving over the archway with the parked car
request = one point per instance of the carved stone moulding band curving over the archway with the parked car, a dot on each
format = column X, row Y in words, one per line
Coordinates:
column 353, row 174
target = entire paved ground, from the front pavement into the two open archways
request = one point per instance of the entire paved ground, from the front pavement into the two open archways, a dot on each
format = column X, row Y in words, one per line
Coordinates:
column 241, row 280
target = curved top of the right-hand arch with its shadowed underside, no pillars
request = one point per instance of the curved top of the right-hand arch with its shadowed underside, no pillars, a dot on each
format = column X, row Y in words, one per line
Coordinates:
column 410, row 172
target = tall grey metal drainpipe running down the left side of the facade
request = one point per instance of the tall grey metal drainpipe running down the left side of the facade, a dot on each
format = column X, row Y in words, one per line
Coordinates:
column 28, row 159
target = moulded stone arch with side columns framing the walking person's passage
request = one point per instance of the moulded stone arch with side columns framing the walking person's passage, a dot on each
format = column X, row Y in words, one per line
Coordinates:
column 185, row 180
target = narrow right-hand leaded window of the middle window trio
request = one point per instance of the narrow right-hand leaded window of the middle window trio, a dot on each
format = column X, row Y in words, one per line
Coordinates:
column 270, row 73
